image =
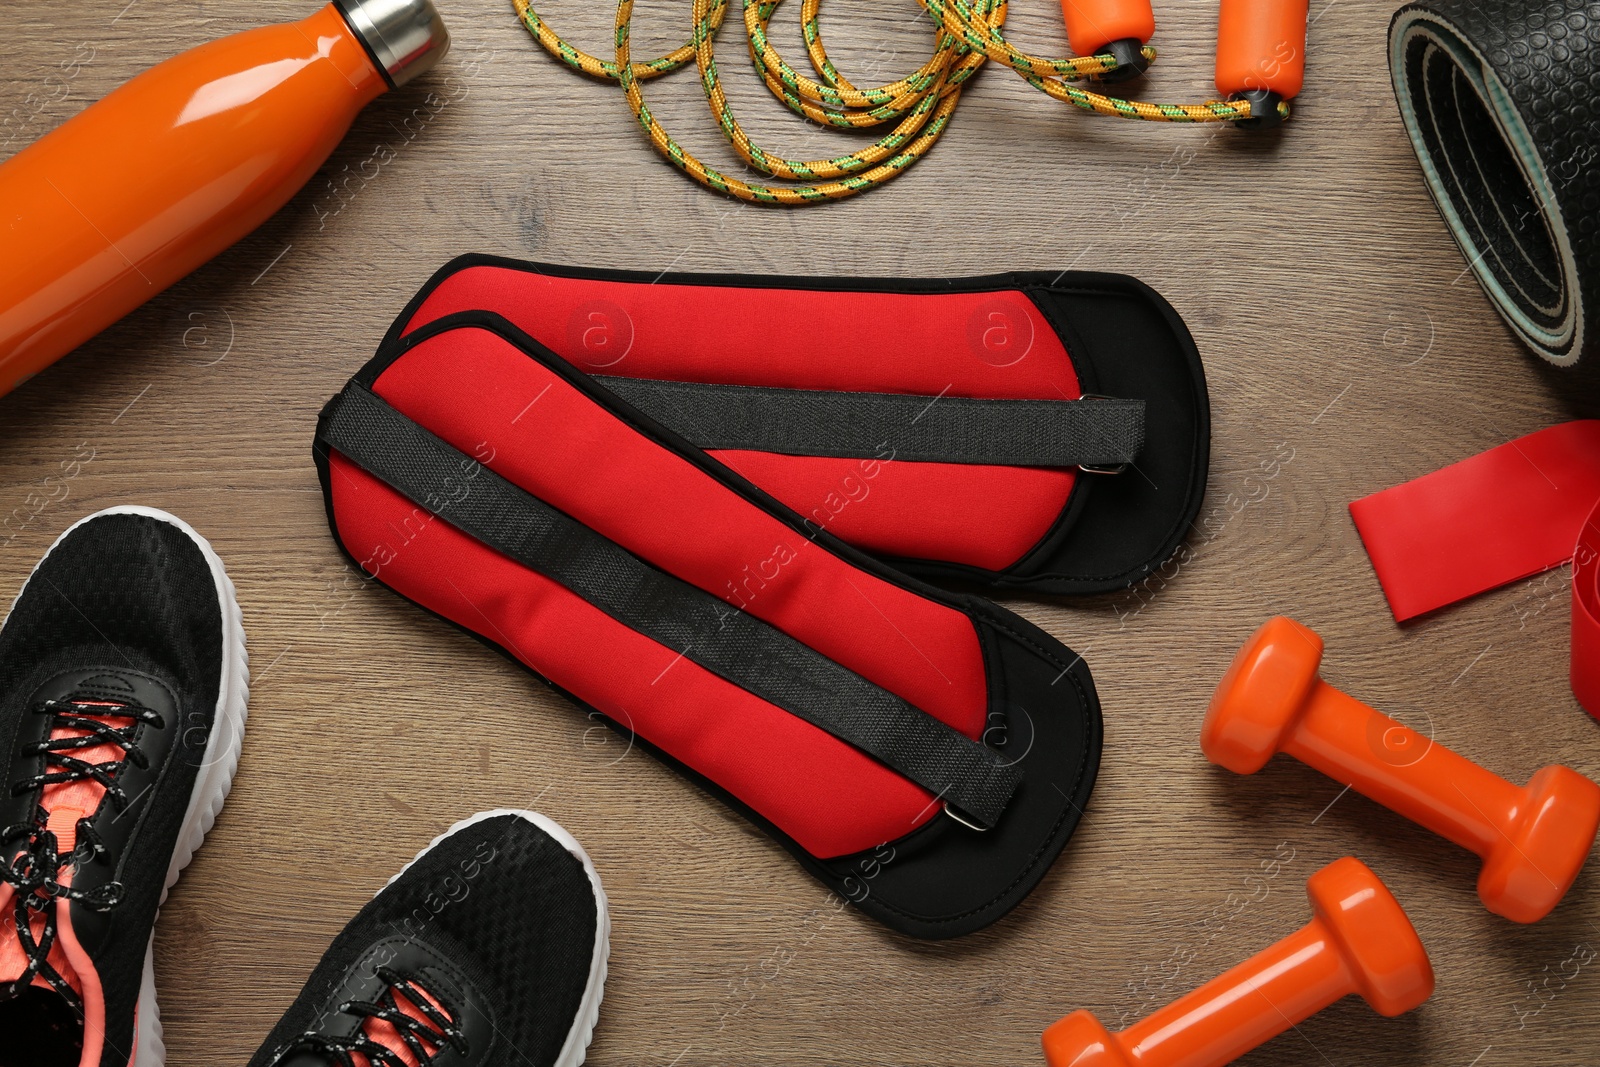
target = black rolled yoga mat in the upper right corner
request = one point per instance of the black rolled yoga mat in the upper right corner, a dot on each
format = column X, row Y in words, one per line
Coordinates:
column 1502, row 100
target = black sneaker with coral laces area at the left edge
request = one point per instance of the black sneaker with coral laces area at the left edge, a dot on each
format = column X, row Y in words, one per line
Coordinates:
column 122, row 709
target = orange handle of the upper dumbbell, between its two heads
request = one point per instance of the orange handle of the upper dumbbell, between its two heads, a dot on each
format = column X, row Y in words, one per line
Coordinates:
column 1402, row 770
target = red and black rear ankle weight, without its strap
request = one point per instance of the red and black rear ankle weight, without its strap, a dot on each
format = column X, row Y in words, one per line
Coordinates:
column 1022, row 337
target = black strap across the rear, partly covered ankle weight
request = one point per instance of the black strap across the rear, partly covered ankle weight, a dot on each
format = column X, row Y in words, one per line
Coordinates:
column 1098, row 431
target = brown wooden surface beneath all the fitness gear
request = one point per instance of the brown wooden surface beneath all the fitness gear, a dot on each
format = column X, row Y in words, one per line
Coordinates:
column 1348, row 350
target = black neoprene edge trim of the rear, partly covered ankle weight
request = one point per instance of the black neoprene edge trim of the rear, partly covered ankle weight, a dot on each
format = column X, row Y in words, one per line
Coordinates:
column 1038, row 569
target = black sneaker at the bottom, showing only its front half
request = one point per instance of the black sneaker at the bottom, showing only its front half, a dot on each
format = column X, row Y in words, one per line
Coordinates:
column 487, row 951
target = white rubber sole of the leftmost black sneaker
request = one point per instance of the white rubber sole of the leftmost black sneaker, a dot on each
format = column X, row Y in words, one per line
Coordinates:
column 217, row 772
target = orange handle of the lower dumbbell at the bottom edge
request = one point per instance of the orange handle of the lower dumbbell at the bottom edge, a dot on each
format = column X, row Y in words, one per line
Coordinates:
column 1247, row 1007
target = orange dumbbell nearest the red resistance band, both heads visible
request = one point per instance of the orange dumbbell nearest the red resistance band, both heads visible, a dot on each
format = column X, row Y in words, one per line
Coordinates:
column 1534, row 841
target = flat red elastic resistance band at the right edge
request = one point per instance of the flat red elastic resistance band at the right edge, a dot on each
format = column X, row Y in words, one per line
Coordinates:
column 1511, row 513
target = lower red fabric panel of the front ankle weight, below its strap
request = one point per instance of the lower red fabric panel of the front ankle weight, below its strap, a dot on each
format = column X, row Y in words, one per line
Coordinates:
column 822, row 793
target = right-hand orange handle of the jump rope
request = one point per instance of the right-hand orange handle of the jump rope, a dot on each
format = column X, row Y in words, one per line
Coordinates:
column 1262, row 49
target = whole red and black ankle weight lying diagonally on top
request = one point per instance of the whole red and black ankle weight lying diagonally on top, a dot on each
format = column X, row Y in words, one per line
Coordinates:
column 926, row 754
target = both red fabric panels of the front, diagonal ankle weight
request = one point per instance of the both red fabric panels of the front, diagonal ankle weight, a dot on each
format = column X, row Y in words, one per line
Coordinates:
column 490, row 401
